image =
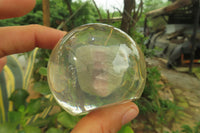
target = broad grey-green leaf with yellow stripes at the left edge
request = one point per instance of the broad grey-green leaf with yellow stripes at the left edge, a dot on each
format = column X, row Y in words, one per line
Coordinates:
column 11, row 78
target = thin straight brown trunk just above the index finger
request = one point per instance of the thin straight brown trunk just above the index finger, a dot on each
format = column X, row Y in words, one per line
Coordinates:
column 46, row 12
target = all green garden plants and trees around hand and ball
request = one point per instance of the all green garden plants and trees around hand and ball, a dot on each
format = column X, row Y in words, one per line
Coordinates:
column 26, row 104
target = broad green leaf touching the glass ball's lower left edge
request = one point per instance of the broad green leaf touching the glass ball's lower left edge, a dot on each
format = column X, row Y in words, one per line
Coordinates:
column 42, row 87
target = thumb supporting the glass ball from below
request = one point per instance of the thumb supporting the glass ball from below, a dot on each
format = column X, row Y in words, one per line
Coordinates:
column 108, row 119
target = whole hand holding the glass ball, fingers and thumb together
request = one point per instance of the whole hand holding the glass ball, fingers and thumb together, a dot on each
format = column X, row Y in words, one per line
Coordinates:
column 17, row 39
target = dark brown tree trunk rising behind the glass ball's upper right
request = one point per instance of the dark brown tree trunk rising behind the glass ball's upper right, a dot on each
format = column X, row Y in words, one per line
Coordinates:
column 126, row 16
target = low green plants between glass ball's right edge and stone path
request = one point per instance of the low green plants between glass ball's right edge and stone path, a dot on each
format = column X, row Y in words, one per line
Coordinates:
column 151, row 103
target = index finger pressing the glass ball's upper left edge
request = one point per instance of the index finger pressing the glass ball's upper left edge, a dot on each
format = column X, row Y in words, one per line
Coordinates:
column 19, row 39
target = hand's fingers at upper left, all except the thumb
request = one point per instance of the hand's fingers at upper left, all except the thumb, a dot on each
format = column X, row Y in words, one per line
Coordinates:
column 17, row 39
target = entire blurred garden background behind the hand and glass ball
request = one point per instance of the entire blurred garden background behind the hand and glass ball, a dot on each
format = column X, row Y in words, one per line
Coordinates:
column 168, row 33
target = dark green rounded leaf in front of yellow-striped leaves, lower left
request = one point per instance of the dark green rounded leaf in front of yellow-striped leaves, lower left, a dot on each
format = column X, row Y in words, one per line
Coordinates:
column 19, row 97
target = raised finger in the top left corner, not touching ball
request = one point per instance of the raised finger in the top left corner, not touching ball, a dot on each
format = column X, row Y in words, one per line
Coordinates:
column 15, row 8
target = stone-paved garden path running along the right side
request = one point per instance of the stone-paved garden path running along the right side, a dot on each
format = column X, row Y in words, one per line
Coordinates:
column 183, row 89
